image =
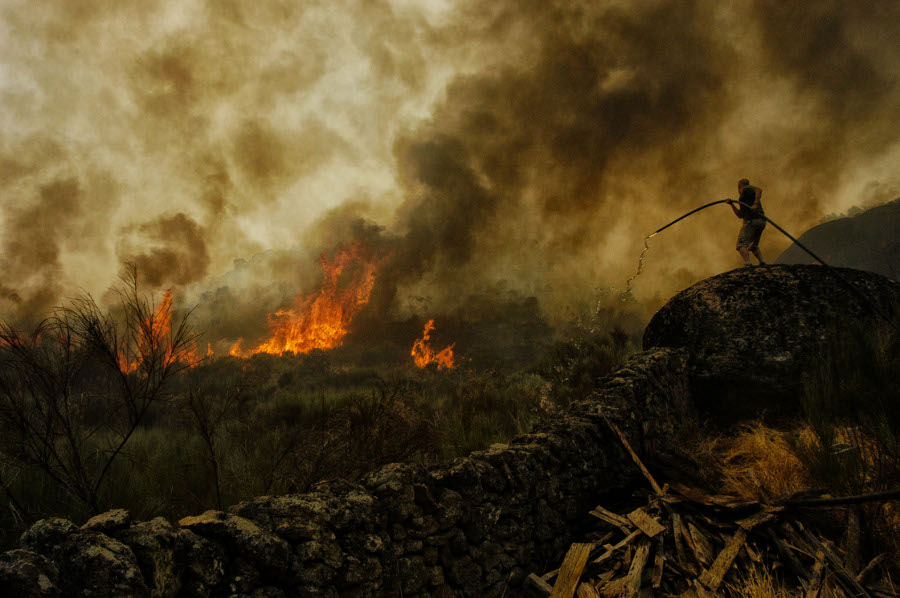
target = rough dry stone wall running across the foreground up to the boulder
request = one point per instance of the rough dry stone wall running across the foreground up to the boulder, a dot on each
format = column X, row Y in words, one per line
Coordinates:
column 473, row 527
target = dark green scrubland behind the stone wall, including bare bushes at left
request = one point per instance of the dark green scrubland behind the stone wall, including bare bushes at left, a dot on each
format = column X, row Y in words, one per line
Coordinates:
column 101, row 410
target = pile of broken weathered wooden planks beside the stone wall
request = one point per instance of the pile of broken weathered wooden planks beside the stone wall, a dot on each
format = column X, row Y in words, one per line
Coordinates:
column 684, row 542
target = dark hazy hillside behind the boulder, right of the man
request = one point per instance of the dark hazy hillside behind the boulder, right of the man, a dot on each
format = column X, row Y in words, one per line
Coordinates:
column 868, row 241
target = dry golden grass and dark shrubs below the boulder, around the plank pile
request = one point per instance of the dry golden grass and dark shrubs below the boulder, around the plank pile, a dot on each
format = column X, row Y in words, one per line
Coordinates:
column 846, row 444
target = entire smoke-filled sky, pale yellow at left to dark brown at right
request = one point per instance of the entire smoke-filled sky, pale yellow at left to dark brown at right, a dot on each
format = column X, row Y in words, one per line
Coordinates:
column 528, row 145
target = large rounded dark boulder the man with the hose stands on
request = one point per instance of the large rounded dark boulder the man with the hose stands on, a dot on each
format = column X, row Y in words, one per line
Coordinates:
column 754, row 334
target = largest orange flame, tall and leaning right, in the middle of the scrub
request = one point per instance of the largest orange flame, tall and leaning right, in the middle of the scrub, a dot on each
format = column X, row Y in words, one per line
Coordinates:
column 320, row 320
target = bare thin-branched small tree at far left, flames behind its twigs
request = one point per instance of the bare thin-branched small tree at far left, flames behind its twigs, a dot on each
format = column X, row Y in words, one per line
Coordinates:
column 74, row 391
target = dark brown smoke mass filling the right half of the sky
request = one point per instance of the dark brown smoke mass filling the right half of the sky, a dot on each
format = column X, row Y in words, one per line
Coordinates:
column 617, row 118
